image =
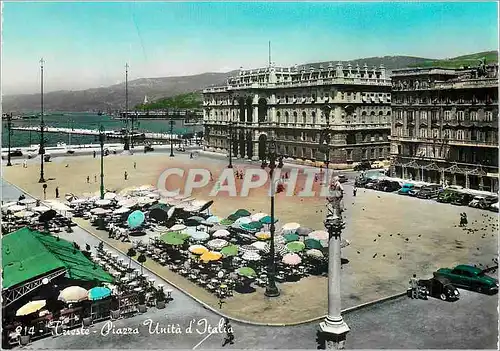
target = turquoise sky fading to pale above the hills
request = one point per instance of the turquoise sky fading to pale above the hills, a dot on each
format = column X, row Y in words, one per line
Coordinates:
column 87, row 44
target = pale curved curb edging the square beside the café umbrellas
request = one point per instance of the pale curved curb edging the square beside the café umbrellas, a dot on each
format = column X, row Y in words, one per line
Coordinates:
column 210, row 308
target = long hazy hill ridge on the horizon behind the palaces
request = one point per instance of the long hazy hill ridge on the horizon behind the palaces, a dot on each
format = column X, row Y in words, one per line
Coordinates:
column 113, row 97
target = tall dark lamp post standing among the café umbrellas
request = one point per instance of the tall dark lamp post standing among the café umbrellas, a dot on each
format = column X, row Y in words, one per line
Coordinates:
column 271, row 288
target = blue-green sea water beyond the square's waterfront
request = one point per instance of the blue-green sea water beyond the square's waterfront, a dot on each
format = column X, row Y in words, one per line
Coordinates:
column 84, row 121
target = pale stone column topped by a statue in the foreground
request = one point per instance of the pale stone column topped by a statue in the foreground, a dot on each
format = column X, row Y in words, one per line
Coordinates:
column 333, row 328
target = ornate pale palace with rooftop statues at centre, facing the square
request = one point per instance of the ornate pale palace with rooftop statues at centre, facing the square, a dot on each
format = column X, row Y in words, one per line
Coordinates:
column 295, row 106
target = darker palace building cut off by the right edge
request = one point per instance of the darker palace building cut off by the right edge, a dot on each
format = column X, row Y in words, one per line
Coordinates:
column 445, row 126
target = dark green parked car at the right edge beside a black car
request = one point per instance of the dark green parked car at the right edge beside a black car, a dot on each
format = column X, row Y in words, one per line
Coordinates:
column 469, row 277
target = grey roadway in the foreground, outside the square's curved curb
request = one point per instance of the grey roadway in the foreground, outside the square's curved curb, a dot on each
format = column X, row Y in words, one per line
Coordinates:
column 470, row 323
